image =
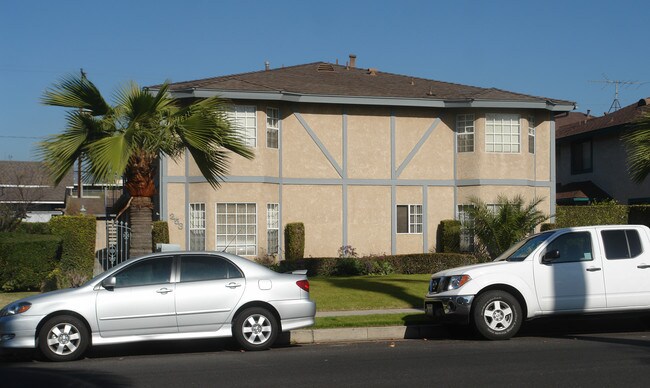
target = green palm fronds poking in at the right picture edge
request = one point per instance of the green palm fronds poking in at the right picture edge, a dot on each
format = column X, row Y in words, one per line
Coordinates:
column 637, row 145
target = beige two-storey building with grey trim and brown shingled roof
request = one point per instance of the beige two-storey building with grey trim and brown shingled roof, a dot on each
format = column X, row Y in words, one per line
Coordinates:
column 363, row 158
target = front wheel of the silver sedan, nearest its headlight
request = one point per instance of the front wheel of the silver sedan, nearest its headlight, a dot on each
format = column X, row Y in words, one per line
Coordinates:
column 63, row 338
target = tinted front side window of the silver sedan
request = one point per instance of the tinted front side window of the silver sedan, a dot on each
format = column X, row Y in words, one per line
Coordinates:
column 152, row 271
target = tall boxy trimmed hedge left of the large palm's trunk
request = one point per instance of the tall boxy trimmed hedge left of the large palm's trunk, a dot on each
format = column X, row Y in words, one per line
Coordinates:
column 77, row 248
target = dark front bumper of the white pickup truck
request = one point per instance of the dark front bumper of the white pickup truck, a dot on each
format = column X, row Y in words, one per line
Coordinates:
column 448, row 309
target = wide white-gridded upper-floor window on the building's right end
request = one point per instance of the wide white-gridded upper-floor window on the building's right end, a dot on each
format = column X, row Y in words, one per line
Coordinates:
column 503, row 133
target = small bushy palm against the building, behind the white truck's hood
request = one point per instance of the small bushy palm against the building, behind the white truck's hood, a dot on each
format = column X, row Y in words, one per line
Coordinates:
column 509, row 221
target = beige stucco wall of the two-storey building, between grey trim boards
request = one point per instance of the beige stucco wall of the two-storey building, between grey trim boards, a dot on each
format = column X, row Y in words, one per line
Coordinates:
column 313, row 190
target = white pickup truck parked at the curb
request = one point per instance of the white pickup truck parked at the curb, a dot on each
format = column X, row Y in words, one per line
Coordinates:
column 584, row 270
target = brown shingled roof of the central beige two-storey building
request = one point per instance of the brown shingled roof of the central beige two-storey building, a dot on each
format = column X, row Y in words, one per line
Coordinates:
column 326, row 79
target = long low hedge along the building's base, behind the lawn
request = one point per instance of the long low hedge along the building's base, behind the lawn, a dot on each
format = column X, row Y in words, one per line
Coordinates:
column 421, row 263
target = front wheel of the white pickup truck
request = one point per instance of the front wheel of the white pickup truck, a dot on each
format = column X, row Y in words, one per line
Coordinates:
column 497, row 315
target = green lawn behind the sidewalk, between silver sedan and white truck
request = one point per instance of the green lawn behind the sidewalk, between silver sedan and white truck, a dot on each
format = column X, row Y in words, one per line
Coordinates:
column 368, row 292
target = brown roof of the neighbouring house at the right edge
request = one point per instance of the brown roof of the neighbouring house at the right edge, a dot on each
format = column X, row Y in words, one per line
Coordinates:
column 620, row 118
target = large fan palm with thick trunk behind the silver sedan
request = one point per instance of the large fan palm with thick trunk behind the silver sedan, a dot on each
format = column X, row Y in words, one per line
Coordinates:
column 128, row 138
